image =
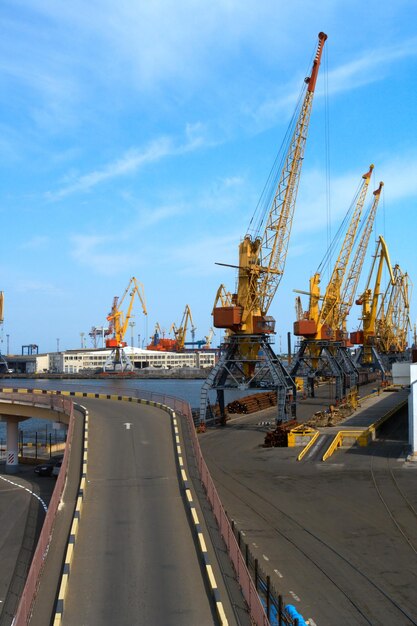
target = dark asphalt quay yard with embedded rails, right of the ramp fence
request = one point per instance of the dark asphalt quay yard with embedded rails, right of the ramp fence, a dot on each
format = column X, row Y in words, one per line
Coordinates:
column 339, row 539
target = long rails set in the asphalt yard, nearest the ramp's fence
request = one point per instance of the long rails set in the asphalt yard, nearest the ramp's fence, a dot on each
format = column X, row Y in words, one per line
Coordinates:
column 305, row 553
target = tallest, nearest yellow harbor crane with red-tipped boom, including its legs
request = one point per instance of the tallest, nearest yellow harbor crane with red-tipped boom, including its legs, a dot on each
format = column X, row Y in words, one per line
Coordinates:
column 246, row 357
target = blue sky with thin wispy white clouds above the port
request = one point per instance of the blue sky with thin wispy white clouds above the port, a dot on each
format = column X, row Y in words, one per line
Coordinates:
column 136, row 138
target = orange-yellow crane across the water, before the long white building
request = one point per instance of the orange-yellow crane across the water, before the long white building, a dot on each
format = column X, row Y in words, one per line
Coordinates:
column 118, row 324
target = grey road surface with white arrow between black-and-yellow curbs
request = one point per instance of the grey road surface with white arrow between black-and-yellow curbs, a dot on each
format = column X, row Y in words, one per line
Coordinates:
column 135, row 560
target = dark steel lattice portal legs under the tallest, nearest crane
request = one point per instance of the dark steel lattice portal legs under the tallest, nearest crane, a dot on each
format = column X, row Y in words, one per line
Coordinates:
column 267, row 373
